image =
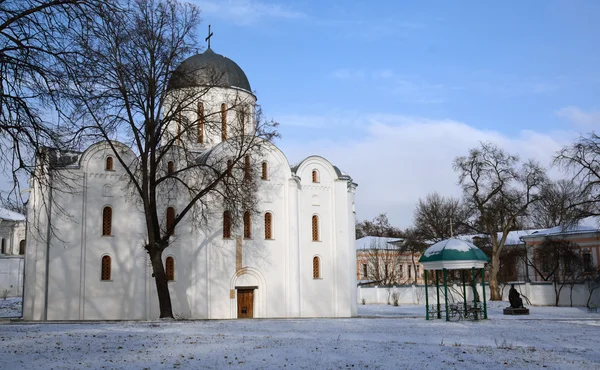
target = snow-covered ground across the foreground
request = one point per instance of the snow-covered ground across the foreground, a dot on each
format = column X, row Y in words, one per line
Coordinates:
column 384, row 337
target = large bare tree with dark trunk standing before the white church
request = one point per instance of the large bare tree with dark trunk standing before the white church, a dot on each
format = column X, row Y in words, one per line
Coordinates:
column 121, row 90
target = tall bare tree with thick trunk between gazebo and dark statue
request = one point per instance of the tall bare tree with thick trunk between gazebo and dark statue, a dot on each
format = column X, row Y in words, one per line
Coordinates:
column 499, row 189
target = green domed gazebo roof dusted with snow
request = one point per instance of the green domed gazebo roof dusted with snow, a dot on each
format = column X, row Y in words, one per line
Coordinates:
column 453, row 254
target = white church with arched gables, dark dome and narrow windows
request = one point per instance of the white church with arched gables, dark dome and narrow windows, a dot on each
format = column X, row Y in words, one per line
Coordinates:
column 294, row 258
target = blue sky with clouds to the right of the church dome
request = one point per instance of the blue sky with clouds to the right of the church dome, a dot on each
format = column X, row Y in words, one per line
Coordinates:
column 392, row 91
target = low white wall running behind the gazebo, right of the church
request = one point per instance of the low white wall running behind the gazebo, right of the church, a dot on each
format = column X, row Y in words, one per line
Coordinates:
column 533, row 294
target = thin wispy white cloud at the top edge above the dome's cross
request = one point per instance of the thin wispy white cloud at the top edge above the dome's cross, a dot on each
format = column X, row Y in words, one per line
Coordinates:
column 246, row 12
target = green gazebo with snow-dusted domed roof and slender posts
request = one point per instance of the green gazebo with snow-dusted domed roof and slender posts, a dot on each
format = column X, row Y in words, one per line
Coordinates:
column 454, row 254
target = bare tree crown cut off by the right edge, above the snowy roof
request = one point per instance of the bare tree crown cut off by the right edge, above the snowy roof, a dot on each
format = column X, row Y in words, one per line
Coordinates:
column 582, row 161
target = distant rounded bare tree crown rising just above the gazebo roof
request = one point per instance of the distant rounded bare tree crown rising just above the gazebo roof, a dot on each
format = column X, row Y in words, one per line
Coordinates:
column 437, row 218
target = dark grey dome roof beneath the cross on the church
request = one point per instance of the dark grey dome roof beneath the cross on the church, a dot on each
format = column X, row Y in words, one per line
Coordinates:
column 208, row 69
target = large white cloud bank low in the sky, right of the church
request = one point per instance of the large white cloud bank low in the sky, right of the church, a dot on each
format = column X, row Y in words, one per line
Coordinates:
column 401, row 159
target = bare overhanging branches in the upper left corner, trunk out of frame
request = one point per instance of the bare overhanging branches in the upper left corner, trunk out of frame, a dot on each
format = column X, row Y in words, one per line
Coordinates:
column 32, row 46
